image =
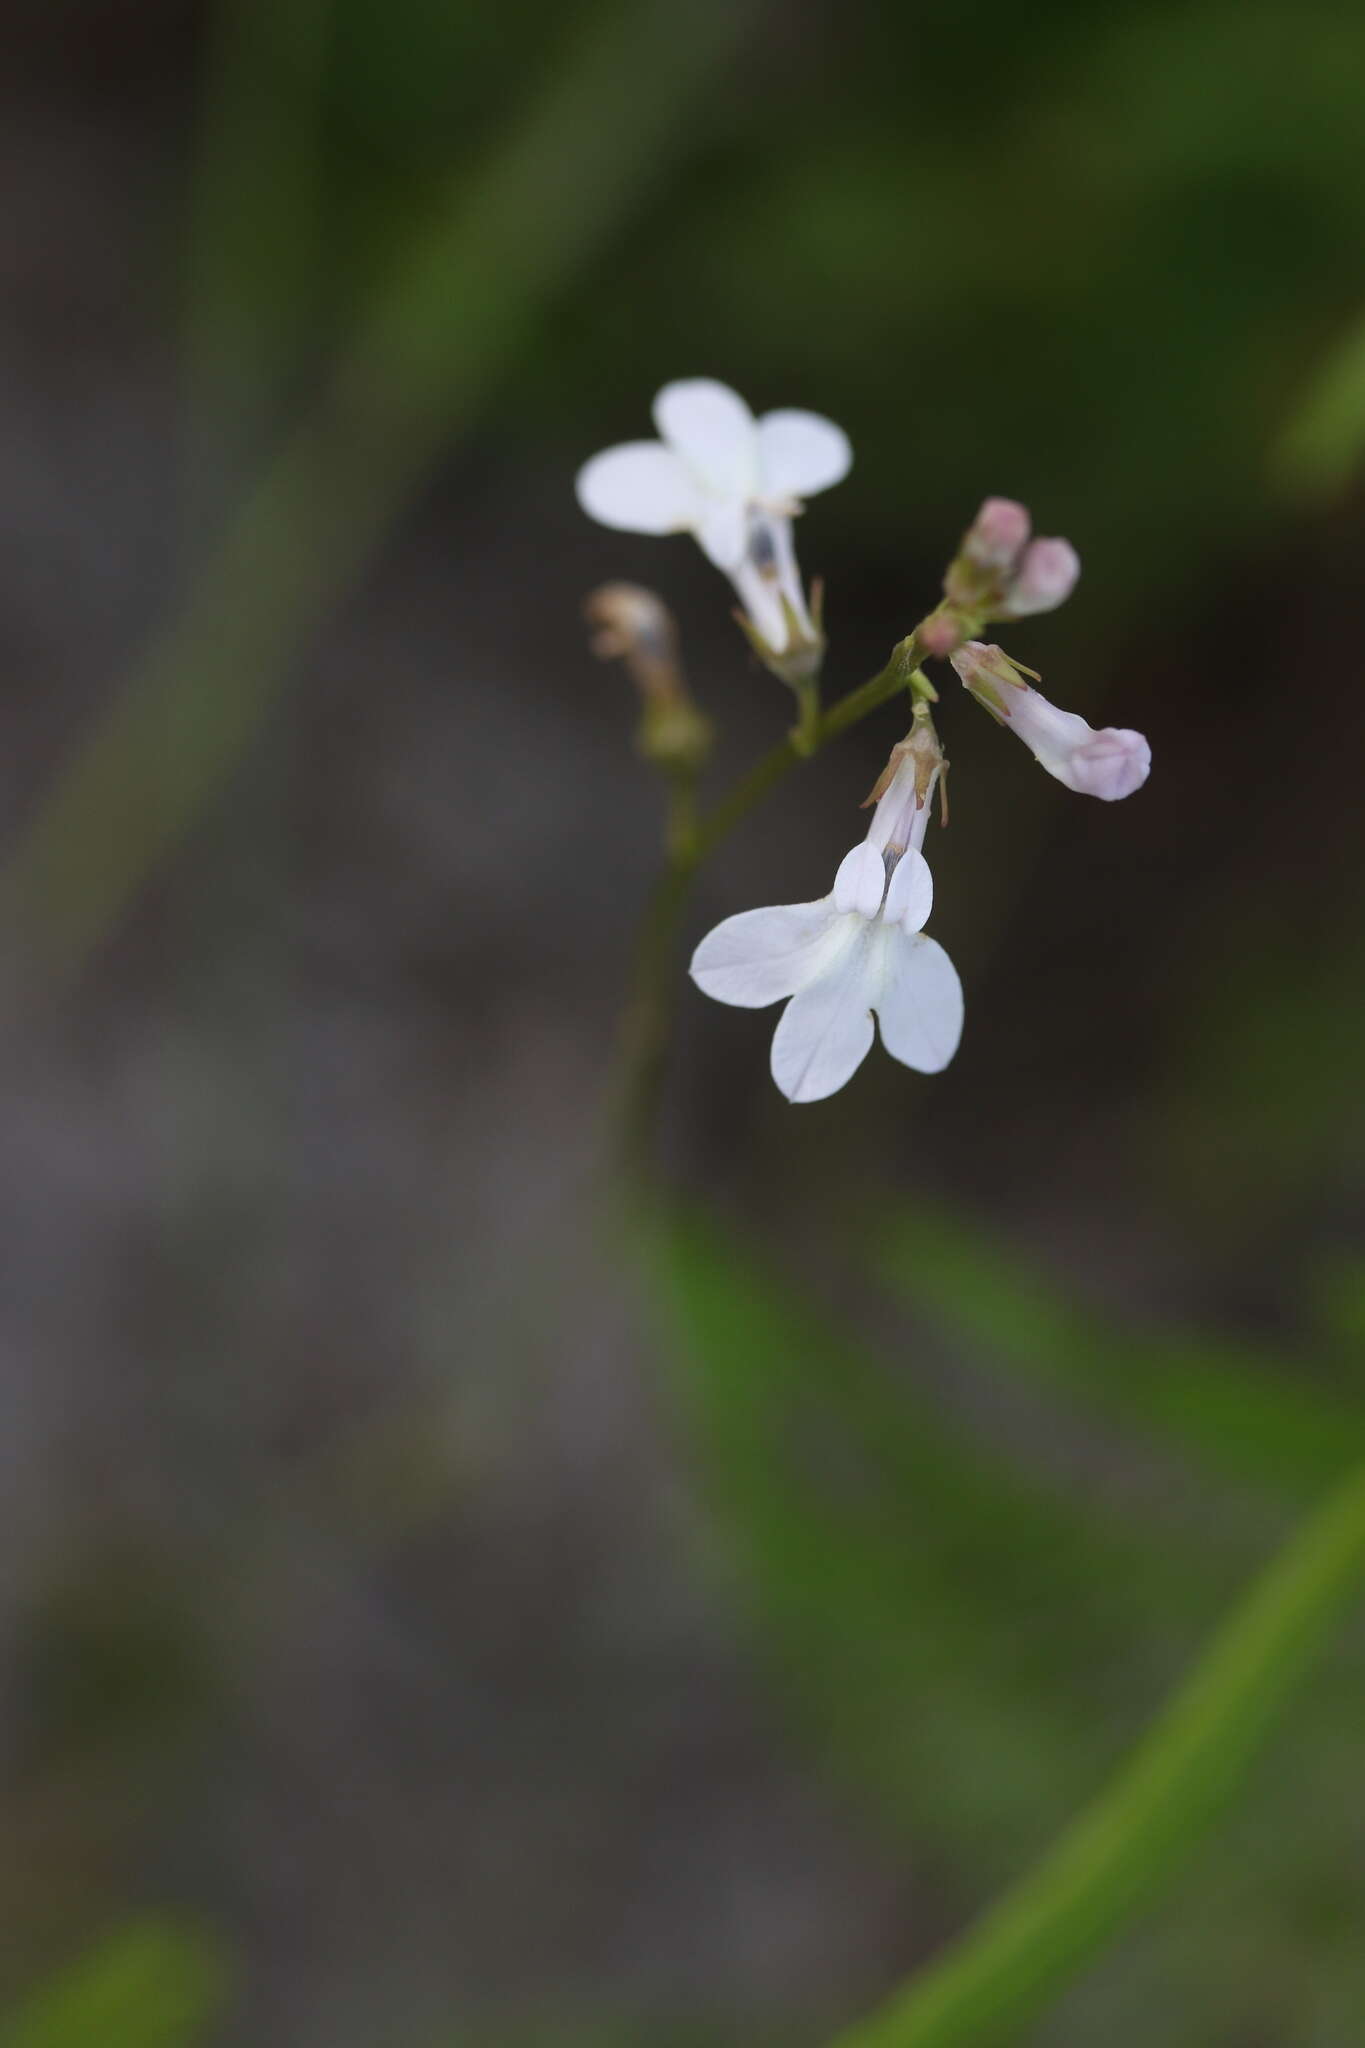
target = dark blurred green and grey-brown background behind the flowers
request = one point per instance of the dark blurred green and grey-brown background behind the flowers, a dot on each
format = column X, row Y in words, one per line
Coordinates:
column 427, row 1623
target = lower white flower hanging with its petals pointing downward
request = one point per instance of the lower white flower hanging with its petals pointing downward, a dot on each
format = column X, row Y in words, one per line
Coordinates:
column 854, row 953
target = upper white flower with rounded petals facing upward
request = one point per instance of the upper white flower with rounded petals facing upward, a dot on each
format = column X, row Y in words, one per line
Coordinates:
column 730, row 480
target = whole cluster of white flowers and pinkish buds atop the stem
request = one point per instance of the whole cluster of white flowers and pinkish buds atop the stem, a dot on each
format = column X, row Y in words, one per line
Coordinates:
column 856, row 959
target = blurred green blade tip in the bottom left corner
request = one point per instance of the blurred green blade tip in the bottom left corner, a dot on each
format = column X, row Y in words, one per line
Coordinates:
column 155, row 1983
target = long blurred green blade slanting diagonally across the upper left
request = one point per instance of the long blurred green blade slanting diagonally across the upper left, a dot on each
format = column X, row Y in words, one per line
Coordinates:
column 619, row 110
